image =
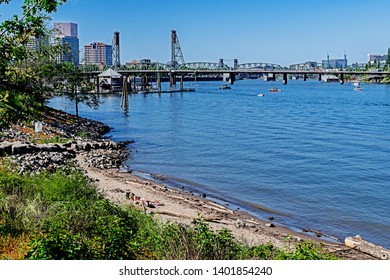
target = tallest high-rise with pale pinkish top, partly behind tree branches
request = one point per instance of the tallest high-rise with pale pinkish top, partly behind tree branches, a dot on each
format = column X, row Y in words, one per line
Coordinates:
column 67, row 33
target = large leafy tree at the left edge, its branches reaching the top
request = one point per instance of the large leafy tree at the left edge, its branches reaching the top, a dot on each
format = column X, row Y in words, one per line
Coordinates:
column 21, row 84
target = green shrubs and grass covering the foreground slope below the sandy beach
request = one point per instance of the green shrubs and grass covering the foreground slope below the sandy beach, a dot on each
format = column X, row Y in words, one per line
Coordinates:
column 60, row 215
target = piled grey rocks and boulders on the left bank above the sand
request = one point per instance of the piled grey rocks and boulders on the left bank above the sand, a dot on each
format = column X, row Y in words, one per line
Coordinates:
column 18, row 144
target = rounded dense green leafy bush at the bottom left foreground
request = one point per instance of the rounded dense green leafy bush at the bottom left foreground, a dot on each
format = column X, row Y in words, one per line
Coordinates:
column 101, row 231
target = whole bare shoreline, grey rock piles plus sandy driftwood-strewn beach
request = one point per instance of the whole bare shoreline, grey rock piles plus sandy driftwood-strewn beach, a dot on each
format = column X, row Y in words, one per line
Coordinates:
column 81, row 144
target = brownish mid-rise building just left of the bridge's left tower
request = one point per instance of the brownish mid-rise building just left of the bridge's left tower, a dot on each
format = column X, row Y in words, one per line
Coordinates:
column 98, row 53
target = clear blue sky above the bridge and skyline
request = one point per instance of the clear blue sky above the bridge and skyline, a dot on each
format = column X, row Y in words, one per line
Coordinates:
column 274, row 31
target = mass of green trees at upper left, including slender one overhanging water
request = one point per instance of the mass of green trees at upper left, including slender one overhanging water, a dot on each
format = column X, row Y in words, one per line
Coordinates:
column 29, row 71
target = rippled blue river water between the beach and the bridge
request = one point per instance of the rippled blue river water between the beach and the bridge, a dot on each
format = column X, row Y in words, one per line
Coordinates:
column 316, row 155
